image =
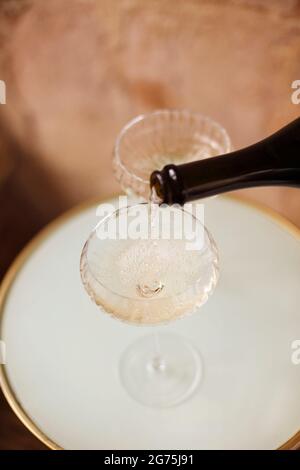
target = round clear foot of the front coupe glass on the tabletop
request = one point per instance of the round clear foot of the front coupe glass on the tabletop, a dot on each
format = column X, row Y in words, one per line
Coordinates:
column 161, row 370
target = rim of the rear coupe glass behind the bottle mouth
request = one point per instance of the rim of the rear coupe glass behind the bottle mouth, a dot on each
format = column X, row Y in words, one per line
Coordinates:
column 142, row 117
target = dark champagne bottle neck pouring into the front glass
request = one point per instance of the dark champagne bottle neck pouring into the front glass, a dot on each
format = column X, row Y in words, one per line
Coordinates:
column 274, row 161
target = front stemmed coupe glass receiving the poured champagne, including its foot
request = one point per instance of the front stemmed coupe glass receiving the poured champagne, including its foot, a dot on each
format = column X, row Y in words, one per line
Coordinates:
column 148, row 265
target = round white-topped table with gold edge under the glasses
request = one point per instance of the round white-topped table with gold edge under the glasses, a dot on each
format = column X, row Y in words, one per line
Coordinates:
column 62, row 354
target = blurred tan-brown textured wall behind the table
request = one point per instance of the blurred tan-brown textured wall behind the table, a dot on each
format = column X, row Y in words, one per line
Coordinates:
column 77, row 71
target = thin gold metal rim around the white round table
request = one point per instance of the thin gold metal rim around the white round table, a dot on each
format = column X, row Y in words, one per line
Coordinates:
column 42, row 235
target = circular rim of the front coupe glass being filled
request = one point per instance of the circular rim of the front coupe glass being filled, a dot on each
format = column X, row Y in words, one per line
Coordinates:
column 84, row 257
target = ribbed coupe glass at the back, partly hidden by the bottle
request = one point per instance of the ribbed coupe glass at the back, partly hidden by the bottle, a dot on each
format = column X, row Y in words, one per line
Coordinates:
column 151, row 141
